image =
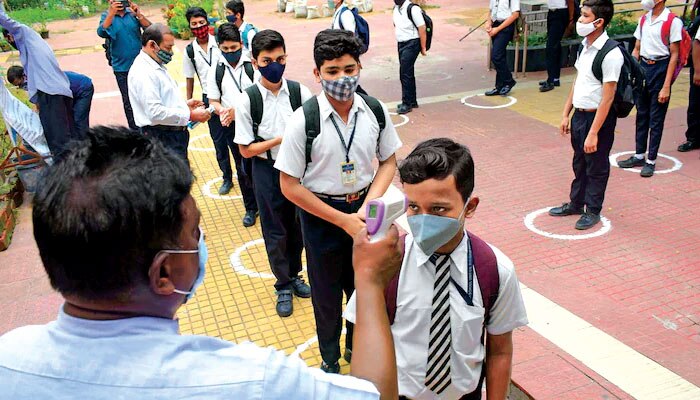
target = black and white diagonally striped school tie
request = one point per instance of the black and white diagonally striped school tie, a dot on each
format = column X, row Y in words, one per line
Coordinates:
column 437, row 377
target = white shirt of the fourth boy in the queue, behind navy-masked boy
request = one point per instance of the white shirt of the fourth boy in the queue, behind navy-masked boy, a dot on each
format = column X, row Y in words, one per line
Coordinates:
column 235, row 81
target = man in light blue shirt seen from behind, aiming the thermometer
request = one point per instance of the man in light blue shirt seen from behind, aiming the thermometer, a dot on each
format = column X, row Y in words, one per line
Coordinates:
column 120, row 238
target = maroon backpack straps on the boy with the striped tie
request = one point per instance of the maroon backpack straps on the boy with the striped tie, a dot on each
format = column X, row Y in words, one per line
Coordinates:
column 485, row 267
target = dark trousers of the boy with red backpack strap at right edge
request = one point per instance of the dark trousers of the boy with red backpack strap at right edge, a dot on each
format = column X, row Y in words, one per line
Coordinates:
column 650, row 113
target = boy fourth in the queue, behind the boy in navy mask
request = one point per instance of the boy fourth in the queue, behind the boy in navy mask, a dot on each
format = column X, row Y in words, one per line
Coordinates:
column 231, row 75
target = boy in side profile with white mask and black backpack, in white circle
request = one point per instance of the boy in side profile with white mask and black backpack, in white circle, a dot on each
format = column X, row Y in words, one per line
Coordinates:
column 592, row 127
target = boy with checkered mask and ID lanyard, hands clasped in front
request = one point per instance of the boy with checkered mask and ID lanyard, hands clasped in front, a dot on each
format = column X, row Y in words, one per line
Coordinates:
column 326, row 170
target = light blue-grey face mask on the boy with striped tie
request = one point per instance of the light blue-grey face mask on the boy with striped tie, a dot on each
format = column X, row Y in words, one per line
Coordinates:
column 430, row 232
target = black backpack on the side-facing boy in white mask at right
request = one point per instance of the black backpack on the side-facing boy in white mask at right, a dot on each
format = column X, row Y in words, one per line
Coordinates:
column 631, row 82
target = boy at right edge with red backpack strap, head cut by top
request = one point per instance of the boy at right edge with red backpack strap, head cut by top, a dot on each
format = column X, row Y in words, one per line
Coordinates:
column 658, row 56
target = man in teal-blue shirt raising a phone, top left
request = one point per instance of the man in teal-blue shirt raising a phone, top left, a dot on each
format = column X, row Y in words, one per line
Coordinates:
column 122, row 24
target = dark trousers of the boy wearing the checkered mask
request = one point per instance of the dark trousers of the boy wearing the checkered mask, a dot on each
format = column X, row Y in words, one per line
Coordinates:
column 329, row 262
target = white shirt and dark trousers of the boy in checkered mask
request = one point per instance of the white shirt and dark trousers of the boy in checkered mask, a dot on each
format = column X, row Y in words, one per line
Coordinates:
column 328, row 247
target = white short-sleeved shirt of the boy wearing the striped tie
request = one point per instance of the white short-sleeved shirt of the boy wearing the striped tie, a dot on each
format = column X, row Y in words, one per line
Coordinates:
column 414, row 306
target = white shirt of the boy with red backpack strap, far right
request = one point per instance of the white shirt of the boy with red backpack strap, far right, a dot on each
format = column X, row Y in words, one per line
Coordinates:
column 652, row 45
